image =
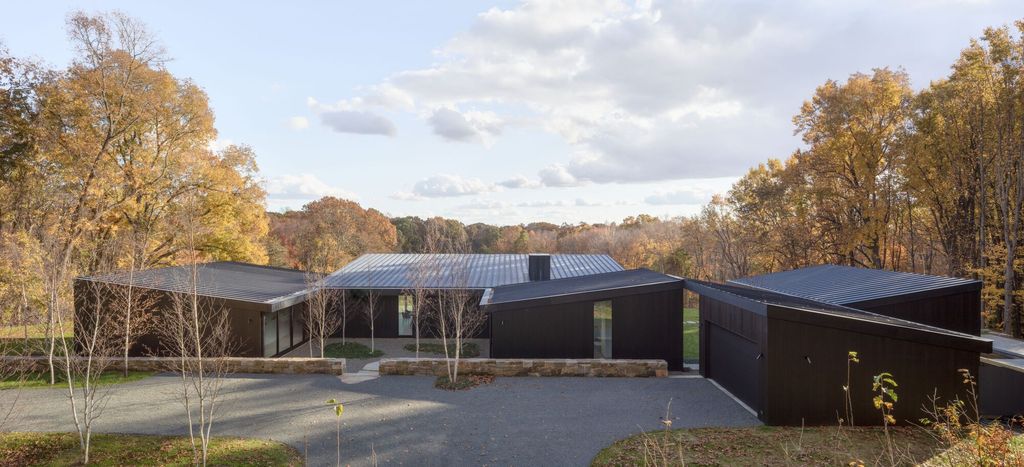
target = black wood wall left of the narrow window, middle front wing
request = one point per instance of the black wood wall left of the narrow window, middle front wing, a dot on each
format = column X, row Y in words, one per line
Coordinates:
column 563, row 331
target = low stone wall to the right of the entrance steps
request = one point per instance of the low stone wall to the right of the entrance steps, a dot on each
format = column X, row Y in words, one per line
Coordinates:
column 530, row 367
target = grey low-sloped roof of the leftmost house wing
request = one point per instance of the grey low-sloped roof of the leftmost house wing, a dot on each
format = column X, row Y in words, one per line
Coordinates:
column 276, row 287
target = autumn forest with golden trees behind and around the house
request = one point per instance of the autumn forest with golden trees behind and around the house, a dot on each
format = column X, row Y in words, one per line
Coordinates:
column 103, row 162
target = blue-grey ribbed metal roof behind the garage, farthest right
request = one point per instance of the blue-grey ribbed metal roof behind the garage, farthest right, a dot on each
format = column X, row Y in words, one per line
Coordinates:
column 847, row 285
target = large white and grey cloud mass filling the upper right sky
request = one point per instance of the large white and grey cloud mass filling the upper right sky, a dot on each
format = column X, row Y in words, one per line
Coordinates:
column 661, row 91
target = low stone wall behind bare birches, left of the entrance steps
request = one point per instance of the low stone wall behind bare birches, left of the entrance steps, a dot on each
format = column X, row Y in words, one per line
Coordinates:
column 235, row 365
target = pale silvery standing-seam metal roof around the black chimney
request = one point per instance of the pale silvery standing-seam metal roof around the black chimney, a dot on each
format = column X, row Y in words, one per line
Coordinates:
column 402, row 271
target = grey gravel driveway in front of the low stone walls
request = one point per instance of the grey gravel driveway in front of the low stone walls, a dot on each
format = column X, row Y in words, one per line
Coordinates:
column 515, row 421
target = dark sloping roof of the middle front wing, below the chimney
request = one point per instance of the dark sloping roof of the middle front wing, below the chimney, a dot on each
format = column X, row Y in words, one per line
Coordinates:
column 608, row 284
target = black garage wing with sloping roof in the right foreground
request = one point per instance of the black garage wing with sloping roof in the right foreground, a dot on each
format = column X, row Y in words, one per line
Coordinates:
column 787, row 357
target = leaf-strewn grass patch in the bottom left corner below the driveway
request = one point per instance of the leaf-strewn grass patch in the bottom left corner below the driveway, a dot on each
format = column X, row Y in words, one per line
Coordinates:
column 117, row 450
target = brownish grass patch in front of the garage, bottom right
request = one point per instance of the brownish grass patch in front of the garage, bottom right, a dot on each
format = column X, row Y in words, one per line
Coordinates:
column 767, row 446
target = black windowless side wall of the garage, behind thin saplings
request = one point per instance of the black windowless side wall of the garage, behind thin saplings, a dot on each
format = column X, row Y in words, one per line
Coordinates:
column 807, row 365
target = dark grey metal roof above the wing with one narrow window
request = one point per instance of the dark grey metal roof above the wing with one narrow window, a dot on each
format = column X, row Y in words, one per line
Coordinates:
column 579, row 285
